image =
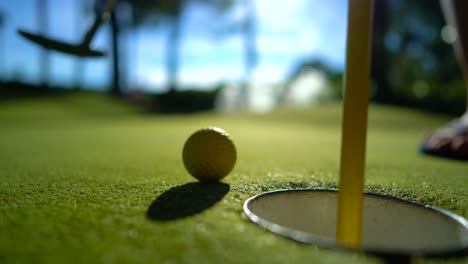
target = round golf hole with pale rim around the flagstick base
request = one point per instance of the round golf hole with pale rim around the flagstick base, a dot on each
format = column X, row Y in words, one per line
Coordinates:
column 391, row 226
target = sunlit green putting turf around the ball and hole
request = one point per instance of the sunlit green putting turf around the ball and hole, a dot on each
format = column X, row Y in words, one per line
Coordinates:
column 84, row 178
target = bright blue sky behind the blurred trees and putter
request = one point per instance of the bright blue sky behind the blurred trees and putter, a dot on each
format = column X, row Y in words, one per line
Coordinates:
column 288, row 31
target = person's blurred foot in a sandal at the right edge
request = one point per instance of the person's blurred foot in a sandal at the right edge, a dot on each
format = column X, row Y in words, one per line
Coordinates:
column 450, row 141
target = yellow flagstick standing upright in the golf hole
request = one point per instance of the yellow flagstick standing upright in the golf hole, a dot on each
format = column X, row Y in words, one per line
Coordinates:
column 354, row 126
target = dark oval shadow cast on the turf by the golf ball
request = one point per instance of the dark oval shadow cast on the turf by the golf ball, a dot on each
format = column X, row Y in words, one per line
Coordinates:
column 186, row 200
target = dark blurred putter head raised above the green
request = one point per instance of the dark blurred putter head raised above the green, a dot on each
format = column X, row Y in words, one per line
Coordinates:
column 79, row 50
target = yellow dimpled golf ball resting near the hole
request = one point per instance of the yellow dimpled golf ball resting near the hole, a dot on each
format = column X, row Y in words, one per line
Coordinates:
column 209, row 154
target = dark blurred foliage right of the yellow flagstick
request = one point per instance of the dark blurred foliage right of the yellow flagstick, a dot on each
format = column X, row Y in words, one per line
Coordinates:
column 414, row 63
